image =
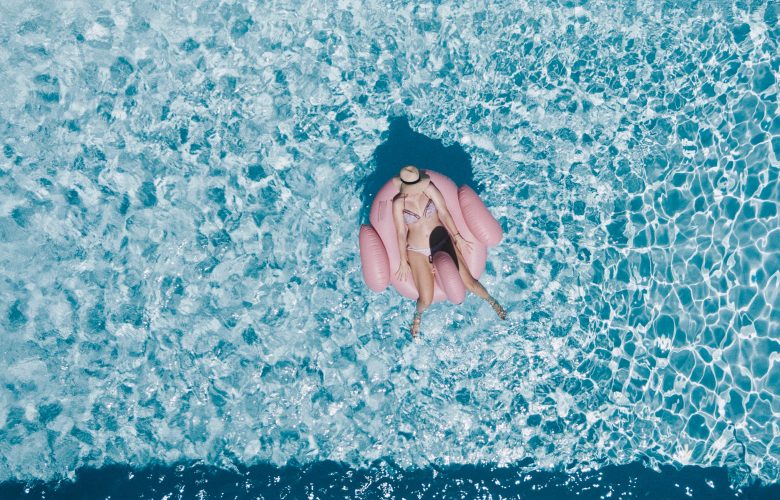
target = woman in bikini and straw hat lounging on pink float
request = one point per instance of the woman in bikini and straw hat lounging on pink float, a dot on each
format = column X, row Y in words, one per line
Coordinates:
column 425, row 226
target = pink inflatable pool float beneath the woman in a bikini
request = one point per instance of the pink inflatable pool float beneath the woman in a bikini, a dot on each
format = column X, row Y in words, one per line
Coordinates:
column 379, row 253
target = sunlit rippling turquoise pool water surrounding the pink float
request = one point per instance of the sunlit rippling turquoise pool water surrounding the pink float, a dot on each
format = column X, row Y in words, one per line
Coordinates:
column 180, row 198
